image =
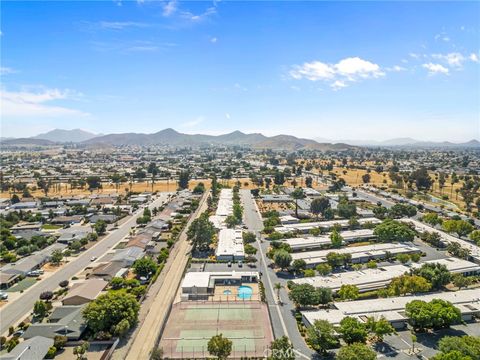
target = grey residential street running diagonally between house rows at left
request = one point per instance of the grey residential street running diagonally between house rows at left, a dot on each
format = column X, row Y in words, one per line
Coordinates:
column 15, row 311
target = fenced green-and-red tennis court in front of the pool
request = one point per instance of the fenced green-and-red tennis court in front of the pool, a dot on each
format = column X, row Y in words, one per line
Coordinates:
column 192, row 324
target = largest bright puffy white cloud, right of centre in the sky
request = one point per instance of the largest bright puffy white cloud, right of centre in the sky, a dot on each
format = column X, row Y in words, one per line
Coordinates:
column 338, row 75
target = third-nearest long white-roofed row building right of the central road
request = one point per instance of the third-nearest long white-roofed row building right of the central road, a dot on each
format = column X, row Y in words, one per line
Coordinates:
column 360, row 254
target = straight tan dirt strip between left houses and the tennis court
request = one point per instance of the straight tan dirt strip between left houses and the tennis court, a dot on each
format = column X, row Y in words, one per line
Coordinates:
column 162, row 296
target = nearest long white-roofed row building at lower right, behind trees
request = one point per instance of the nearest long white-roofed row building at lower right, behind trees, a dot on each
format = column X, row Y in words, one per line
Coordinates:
column 393, row 309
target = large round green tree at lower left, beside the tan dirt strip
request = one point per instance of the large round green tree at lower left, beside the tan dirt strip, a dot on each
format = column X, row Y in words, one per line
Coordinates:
column 108, row 310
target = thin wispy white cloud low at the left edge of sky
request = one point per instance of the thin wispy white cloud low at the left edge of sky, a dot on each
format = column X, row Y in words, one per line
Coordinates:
column 29, row 103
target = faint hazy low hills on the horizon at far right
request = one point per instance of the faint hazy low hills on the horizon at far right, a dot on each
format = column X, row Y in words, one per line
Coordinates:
column 409, row 142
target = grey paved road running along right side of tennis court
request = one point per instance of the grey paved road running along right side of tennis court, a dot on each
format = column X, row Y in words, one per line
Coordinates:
column 281, row 316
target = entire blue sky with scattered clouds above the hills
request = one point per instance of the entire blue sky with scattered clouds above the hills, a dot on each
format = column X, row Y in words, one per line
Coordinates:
column 339, row 70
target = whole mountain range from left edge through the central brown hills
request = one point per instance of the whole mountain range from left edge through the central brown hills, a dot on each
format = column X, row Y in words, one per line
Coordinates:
column 172, row 137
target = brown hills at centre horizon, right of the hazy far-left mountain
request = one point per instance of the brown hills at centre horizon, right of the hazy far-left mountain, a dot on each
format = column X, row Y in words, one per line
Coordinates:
column 174, row 138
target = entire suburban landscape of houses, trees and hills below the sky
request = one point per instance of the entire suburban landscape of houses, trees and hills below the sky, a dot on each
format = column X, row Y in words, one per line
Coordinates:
column 237, row 246
